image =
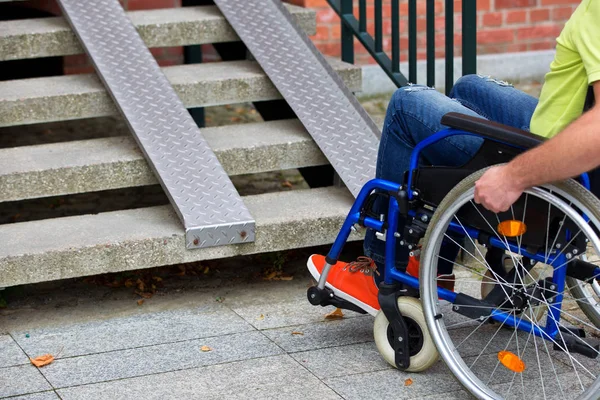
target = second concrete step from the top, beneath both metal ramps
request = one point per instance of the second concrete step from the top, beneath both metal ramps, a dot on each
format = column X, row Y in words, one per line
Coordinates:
column 30, row 101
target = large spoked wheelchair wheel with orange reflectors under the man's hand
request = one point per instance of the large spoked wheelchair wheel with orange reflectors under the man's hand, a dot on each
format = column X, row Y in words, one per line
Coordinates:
column 519, row 333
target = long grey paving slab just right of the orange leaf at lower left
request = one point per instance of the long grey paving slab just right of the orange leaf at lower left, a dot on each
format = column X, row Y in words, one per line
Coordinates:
column 157, row 359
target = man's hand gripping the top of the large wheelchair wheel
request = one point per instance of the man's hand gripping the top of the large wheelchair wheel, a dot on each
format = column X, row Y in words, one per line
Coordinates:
column 496, row 190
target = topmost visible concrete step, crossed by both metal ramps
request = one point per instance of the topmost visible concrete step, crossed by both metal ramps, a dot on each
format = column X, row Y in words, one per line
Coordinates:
column 45, row 37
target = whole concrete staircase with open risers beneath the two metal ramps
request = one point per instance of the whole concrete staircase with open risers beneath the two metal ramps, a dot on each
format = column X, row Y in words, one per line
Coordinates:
column 68, row 247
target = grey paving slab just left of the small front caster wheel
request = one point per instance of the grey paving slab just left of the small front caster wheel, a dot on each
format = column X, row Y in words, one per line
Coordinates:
column 324, row 334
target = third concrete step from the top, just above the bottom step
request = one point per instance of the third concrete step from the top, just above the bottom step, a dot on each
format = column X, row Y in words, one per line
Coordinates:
column 116, row 162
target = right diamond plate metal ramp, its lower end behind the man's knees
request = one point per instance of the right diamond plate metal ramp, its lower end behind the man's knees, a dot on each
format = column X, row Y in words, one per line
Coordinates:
column 329, row 111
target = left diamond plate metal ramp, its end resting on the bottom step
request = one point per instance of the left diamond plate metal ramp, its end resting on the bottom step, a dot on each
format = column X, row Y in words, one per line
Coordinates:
column 199, row 189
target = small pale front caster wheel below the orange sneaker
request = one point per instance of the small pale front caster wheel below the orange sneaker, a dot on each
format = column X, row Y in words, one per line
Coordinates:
column 423, row 353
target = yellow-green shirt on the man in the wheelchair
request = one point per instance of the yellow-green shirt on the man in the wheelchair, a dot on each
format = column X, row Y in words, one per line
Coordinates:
column 576, row 65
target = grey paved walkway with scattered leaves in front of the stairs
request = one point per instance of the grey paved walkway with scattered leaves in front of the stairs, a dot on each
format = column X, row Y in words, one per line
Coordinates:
column 266, row 341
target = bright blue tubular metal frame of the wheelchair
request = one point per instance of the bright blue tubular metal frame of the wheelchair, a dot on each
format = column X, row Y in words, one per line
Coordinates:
column 392, row 275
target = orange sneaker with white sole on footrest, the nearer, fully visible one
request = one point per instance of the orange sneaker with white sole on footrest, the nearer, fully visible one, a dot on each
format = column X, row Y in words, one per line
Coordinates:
column 352, row 281
